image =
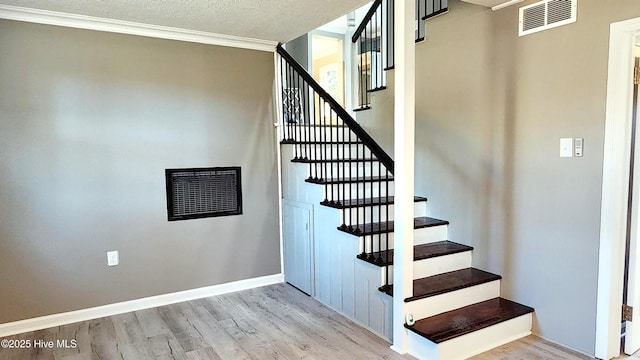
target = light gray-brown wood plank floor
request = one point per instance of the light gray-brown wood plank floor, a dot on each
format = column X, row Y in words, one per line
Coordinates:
column 273, row 322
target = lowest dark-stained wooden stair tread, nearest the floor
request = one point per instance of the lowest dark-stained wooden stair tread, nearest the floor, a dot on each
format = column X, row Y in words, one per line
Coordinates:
column 455, row 323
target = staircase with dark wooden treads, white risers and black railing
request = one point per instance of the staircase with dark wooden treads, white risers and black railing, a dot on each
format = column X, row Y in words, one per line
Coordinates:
column 458, row 309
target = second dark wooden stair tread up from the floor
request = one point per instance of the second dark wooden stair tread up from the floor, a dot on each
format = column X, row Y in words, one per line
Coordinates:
column 447, row 282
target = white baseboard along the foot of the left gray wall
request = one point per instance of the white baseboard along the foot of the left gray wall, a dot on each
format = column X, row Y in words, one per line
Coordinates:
column 54, row 320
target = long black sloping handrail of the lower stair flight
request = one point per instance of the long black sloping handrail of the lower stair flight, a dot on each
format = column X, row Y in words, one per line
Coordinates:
column 366, row 139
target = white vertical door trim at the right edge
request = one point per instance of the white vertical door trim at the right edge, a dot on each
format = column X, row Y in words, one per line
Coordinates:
column 615, row 179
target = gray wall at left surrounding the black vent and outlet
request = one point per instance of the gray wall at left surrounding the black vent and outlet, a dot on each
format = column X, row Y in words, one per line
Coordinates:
column 88, row 123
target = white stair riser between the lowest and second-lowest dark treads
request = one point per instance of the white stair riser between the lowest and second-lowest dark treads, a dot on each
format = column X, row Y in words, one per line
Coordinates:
column 438, row 304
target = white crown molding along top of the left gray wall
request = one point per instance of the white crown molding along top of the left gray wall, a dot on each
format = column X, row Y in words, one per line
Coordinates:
column 131, row 28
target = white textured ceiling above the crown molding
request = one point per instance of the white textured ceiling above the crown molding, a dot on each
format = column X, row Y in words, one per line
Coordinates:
column 276, row 20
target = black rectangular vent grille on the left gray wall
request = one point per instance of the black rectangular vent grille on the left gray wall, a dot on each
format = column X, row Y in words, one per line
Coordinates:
column 203, row 192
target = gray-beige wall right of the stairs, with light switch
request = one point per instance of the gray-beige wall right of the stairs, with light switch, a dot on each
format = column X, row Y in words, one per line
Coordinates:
column 491, row 108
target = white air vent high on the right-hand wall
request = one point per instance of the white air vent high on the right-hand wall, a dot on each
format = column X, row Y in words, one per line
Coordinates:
column 546, row 14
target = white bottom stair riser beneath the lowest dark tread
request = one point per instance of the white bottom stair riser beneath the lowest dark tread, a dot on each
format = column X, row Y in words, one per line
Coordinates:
column 473, row 343
